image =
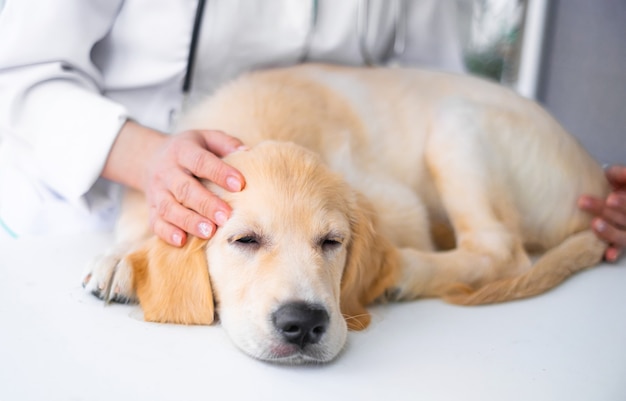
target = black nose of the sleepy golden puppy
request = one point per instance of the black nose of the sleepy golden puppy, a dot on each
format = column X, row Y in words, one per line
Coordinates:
column 301, row 323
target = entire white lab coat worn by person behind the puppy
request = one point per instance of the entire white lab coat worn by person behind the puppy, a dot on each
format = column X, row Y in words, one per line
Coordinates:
column 73, row 71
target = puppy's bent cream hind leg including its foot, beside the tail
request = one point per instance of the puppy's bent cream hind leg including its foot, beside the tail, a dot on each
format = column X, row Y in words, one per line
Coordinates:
column 465, row 172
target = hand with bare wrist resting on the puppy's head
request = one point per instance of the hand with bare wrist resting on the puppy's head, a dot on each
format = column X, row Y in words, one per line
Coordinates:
column 167, row 169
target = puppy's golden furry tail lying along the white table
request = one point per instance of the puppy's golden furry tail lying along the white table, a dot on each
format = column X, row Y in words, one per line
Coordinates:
column 577, row 252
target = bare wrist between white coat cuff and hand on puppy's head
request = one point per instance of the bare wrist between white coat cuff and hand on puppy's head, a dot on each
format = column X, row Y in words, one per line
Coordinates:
column 131, row 153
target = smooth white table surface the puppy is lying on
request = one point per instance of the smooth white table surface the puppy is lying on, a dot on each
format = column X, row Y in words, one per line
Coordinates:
column 59, row 343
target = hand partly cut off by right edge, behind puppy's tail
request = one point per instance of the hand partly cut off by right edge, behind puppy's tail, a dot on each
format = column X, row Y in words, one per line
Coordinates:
column 609, row 221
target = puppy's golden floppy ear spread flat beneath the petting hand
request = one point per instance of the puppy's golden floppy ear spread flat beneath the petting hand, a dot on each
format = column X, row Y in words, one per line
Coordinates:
column 173, row 284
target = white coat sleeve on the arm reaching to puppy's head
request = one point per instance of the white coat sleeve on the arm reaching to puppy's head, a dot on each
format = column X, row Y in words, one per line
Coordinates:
column 58, row 125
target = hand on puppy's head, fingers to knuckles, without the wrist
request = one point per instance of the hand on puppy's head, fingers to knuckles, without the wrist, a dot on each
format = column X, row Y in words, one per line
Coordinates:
column 178, row 202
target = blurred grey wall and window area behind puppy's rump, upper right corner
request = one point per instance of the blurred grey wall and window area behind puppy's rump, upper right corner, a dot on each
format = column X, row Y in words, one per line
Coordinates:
column 573, row 61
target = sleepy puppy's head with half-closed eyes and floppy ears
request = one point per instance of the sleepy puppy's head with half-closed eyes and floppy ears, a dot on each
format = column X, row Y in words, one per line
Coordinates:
column 295, row 264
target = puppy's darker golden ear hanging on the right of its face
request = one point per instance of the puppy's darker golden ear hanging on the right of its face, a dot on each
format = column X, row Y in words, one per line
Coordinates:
column 371, row 266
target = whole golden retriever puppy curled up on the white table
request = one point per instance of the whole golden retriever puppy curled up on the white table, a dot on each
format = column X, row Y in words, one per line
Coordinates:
column 363, row 185
